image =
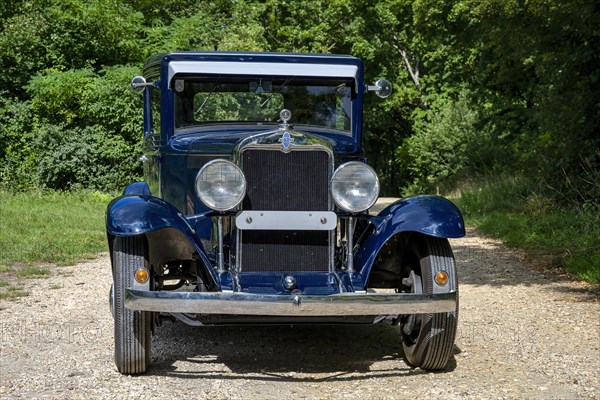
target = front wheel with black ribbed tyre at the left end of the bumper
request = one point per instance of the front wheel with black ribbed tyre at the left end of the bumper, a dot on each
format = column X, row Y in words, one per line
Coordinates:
column 133, row 329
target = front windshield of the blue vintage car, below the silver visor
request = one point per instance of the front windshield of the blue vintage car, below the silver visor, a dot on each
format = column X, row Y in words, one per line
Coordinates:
column 322, row 102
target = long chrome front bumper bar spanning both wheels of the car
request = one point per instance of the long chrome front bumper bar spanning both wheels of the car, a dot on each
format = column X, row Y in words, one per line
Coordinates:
column 345, row 304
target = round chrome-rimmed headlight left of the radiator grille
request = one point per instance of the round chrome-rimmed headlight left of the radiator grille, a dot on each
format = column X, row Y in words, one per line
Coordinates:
column 221, row 185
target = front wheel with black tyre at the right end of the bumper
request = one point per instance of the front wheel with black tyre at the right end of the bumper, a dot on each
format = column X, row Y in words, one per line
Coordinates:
column 428, row 339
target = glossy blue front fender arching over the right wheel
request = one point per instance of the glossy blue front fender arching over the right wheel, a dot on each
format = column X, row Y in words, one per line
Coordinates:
column 429, row 215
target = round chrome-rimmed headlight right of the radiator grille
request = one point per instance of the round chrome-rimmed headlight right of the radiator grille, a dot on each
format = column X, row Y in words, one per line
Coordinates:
column 354, row 186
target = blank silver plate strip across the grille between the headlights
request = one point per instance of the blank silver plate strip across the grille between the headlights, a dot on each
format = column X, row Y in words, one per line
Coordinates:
column 286, row 220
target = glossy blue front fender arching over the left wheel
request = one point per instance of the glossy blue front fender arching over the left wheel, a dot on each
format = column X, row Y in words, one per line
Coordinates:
column 139, row 214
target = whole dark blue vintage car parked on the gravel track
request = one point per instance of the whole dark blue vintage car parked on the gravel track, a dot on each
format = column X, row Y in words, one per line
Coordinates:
column 255, row 209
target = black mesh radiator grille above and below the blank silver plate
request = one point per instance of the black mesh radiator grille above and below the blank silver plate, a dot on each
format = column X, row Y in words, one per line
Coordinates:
column 293, row 181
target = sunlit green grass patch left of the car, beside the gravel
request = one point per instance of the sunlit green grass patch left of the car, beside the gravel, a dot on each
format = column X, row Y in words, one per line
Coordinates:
column 50, row 227
